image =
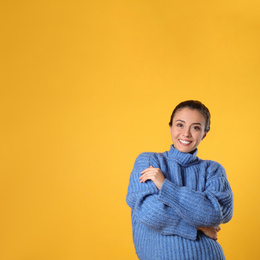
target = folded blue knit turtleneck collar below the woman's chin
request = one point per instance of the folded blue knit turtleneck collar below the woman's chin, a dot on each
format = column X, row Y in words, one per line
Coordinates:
column 183, row 158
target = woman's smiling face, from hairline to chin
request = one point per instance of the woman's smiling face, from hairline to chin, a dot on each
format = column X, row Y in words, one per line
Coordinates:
column 187, row 129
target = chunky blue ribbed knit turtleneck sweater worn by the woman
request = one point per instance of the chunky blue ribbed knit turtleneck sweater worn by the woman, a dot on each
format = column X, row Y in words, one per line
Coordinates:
column 195, row 193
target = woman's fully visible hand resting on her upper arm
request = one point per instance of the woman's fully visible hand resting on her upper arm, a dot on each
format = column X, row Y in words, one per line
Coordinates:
column 153, row 174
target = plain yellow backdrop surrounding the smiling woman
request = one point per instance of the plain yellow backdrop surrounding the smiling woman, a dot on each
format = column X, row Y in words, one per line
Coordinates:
column 88, row 85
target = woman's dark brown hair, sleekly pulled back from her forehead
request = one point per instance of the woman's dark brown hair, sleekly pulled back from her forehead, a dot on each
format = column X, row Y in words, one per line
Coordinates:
column 197, row 105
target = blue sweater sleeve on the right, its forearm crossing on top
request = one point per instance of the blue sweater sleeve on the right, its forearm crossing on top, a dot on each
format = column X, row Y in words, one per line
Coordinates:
column 211, row 207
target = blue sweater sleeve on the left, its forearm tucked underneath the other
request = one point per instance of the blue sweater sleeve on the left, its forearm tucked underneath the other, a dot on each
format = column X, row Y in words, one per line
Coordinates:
column 148, row 210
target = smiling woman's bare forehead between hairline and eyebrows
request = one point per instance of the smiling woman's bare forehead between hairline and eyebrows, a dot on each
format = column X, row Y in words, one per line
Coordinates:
column 189, row 115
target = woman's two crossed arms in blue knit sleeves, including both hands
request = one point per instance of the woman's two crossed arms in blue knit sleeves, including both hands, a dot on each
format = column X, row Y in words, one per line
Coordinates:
column 169, row 209
